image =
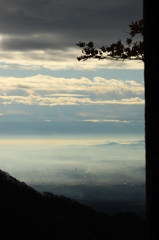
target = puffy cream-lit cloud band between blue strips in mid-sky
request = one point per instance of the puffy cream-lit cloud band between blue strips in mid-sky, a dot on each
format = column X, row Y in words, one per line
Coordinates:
column 51, row 91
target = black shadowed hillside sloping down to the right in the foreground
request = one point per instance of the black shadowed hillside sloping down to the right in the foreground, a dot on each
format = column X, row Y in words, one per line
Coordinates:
column 27, row 214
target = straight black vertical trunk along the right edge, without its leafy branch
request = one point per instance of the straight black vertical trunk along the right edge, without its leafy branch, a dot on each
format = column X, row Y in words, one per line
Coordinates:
column 151, row 50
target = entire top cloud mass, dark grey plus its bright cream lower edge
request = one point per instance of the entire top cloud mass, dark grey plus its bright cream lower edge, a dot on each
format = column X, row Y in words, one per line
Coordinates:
column 44, row 32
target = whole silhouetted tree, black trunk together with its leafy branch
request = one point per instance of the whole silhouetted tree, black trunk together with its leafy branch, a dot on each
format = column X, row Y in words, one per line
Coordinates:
column 146, row 50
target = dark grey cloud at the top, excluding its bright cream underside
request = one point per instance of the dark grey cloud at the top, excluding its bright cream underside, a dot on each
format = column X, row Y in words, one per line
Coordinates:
column 43, row 24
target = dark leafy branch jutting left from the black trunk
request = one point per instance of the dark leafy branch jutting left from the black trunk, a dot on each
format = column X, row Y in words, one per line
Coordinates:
column 131, row 50
